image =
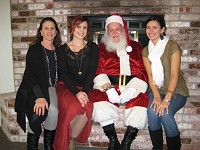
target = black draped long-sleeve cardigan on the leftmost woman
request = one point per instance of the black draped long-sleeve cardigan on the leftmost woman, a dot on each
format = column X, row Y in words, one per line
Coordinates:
column 34, row 85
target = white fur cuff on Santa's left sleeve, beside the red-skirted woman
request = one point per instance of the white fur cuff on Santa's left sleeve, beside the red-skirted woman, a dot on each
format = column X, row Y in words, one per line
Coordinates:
column 100, row 80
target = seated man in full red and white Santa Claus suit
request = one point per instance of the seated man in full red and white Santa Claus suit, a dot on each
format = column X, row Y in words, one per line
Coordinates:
column 120, row 80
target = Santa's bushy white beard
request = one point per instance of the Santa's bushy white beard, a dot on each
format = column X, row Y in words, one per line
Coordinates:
column 114, row 46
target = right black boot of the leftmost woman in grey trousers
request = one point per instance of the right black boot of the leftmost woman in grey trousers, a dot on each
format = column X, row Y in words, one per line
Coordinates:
column 48, row 139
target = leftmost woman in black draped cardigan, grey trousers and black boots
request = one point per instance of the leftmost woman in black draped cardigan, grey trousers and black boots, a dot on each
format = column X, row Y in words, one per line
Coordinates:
column 36, row 97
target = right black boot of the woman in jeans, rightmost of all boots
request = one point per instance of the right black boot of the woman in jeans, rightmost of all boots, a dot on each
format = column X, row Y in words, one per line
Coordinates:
column 174, row 143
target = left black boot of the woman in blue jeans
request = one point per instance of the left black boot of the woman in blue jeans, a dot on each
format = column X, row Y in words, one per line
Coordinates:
column 157, row 139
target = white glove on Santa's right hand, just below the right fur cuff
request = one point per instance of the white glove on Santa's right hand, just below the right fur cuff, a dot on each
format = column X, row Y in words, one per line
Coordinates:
column 128, row 94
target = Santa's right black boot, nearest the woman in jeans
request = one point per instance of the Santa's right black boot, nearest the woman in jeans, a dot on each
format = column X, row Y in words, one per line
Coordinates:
column 129, row 136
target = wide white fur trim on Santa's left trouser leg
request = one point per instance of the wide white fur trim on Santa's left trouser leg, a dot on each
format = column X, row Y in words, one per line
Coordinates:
column 104, row 111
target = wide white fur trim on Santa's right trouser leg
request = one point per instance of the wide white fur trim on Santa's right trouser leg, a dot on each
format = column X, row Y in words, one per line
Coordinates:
column 136, row 117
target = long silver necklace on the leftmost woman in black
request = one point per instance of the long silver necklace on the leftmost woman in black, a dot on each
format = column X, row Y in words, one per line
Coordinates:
column 48, row 66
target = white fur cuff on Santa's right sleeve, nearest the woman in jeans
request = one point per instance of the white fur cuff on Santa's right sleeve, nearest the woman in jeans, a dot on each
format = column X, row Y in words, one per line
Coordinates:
column 138, row 84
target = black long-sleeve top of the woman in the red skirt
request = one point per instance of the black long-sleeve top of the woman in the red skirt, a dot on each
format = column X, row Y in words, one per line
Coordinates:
column 69, row 64
